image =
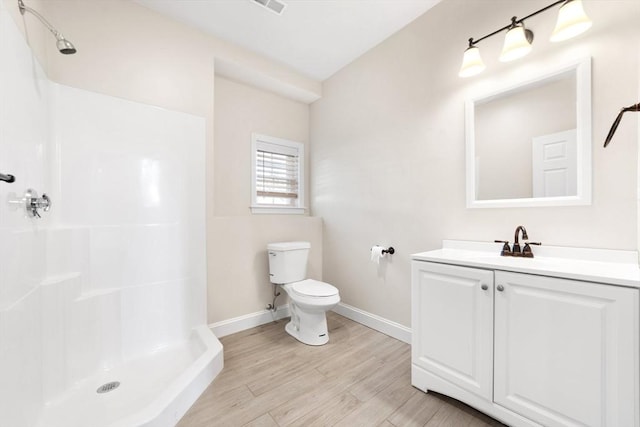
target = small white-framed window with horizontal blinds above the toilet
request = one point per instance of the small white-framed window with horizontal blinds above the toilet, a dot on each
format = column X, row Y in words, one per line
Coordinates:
column 277, row 175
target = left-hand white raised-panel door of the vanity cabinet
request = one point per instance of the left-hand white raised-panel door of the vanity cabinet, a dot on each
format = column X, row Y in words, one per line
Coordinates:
column 452, row 323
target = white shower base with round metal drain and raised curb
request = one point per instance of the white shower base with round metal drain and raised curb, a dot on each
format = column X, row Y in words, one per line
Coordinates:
column 154, row 391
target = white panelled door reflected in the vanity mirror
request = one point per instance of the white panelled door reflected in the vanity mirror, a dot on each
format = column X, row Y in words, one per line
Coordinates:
column 554, row 165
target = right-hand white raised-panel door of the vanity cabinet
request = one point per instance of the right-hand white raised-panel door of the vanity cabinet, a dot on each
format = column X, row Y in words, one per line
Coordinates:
column 566, row 352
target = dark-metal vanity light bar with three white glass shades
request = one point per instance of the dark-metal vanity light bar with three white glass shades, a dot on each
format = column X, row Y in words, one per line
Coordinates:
column 572, row 20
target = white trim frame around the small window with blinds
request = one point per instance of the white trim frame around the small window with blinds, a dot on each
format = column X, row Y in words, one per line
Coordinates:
column 257, row 208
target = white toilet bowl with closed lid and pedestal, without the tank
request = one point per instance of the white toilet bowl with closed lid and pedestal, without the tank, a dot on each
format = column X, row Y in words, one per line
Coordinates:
column 310, row 300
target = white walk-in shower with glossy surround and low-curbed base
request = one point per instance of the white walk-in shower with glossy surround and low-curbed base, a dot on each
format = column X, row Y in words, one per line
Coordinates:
column 103, row 295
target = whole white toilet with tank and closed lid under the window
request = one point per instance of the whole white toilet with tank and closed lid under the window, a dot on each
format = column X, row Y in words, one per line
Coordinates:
column 310, row 299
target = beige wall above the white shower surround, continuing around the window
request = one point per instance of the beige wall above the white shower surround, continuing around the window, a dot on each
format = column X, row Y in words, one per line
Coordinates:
column 128, row 51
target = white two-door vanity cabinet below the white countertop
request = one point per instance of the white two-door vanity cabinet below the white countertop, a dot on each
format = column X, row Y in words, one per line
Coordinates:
column 530, row 350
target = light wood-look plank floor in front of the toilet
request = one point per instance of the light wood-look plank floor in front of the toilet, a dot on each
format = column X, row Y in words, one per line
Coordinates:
column 360, row 378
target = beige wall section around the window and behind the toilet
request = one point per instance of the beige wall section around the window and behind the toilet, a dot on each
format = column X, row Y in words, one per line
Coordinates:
column 239, row 274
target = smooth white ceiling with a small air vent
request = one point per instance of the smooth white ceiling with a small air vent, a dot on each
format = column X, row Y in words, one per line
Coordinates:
column 314, row 37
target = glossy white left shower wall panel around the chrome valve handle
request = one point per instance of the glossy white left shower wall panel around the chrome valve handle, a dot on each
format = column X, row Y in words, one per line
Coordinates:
column 23, row 150
